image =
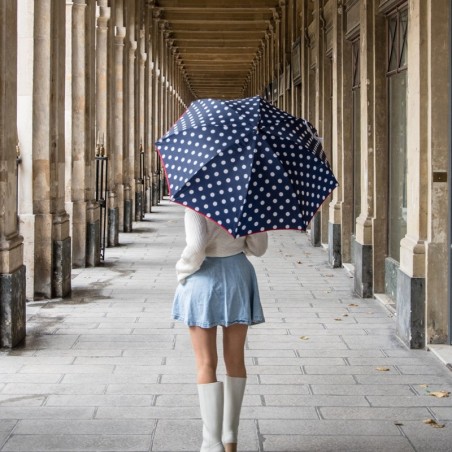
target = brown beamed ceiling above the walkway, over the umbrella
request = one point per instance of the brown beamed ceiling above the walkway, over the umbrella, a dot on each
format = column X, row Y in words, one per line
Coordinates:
column 217, row 41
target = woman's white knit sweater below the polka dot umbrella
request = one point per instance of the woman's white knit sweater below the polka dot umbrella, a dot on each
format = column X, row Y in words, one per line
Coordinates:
column 206, row 238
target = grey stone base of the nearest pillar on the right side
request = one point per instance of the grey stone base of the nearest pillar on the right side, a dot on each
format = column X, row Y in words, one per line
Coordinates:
column 410, row 326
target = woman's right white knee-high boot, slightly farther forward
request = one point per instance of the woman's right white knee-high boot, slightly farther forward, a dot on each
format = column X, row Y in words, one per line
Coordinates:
column 234, row 388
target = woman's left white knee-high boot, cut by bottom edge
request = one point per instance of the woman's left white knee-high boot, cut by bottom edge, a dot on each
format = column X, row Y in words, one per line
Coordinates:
column 211, row 396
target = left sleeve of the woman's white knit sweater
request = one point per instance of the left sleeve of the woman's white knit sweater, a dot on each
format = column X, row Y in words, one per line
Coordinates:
column 194, row 252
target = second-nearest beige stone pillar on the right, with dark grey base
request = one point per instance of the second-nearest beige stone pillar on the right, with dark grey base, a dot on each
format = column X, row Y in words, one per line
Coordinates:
column 372, row 153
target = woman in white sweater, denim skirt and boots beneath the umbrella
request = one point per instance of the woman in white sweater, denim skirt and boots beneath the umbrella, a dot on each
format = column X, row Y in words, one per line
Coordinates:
column 218, row 287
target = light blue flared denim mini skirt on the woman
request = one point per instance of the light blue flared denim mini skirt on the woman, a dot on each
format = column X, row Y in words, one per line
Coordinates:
column 223, row 291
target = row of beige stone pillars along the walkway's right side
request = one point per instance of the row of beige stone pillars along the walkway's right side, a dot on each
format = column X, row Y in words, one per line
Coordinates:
column 325, row 31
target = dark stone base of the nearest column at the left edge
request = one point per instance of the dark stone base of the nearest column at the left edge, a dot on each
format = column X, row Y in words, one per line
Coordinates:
column 12, row 308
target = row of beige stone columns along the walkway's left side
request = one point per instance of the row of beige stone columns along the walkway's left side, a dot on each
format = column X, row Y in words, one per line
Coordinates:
column 82, row 82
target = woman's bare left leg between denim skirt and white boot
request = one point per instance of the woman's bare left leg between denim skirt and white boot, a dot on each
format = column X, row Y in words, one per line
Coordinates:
column 204, row 341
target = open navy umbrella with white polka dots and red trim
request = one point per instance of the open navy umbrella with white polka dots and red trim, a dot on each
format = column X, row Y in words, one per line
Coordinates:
column 246, row 165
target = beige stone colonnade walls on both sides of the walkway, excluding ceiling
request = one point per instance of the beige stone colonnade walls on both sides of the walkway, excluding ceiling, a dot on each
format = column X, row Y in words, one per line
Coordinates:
column 87, row 87
